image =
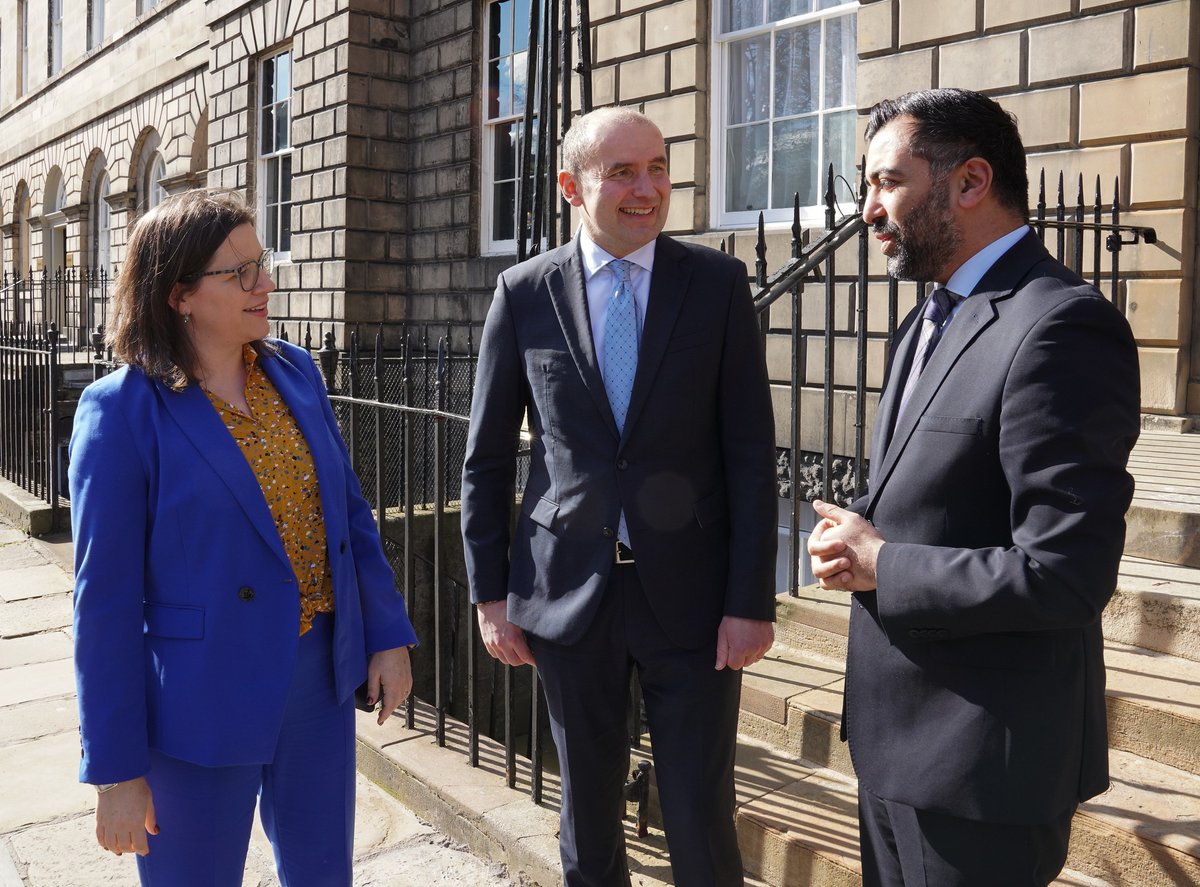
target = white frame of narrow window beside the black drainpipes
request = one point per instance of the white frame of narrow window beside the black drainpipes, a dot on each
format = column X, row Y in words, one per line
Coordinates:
column 494, row 125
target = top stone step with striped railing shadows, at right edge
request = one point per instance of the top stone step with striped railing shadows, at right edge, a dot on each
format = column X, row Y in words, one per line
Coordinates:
column 1163, row 523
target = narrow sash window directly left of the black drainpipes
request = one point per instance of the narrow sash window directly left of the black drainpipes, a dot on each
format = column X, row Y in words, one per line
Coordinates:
column 508, row 45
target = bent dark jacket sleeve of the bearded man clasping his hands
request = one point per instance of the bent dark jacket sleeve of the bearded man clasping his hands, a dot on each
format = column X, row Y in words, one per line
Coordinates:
column 1070, row 416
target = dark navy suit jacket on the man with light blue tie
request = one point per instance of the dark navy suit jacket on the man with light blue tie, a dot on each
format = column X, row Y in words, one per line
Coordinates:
column 694, row 468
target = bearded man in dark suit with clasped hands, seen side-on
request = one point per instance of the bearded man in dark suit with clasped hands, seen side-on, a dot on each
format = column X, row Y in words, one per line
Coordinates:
column 988, row 543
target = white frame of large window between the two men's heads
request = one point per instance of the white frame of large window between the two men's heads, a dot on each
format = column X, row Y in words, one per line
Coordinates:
column 723, row 41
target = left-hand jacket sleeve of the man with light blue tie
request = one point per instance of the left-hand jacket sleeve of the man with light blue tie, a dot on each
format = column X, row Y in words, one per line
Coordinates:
column 489, row 475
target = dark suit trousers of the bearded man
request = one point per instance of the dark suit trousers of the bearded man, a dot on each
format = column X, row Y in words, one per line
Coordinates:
column 904, row 847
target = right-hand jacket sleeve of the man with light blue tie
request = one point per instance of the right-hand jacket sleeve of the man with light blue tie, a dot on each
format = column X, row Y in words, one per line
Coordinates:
column 748, row 448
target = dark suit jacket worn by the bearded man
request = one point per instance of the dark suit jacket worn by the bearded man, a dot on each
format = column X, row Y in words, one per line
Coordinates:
column 975, row 680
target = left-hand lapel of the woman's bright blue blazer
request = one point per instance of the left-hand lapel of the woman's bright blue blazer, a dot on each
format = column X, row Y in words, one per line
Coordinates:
column 202, row 424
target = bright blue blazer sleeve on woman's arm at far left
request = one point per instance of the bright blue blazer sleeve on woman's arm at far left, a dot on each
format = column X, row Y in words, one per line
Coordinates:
column 110, row 488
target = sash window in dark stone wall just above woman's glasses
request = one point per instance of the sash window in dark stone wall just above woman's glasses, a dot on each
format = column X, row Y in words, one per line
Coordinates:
column 275, row 154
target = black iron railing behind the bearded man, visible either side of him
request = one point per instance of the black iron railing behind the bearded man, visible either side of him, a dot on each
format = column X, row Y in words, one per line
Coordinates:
column 845, row 335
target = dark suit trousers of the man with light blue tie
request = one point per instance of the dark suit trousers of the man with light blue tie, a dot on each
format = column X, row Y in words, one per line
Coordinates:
column 693, row 712
